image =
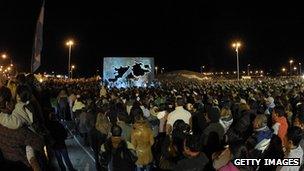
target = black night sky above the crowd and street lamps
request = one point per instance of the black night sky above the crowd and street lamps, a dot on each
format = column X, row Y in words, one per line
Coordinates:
column 180, row 35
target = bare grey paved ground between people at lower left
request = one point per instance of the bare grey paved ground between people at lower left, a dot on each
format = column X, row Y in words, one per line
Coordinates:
column 81, row 157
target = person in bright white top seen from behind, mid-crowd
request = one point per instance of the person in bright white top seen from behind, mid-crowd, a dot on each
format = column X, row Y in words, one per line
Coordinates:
column 178, row 113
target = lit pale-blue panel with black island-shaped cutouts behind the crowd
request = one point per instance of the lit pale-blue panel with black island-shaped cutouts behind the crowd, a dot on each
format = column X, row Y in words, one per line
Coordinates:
column 128, row 71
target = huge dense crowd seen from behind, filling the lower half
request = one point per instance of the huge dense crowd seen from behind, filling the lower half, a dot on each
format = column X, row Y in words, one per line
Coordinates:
column 176, row 125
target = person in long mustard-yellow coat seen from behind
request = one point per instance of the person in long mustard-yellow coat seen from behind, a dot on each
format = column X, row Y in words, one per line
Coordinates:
column 142, row 139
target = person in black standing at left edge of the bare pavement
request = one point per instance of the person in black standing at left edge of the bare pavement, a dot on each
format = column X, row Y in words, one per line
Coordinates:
column 60, row 134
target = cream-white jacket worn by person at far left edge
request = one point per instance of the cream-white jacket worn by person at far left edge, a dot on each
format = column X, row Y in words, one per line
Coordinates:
column 20, row 116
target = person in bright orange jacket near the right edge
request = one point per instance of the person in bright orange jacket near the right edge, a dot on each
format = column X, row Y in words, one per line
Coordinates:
column 280, row 125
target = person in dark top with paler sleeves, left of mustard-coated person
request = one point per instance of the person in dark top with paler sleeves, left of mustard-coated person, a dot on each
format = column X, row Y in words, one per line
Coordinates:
column 116, row 153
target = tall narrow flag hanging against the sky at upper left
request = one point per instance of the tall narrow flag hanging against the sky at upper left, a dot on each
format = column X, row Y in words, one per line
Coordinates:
column 37, row 47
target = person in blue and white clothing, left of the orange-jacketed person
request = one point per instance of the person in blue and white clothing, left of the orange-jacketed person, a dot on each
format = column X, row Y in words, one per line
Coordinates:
column 261, row 137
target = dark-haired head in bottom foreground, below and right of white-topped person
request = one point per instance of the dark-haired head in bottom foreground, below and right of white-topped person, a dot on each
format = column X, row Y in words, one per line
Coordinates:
column 192, row 145
